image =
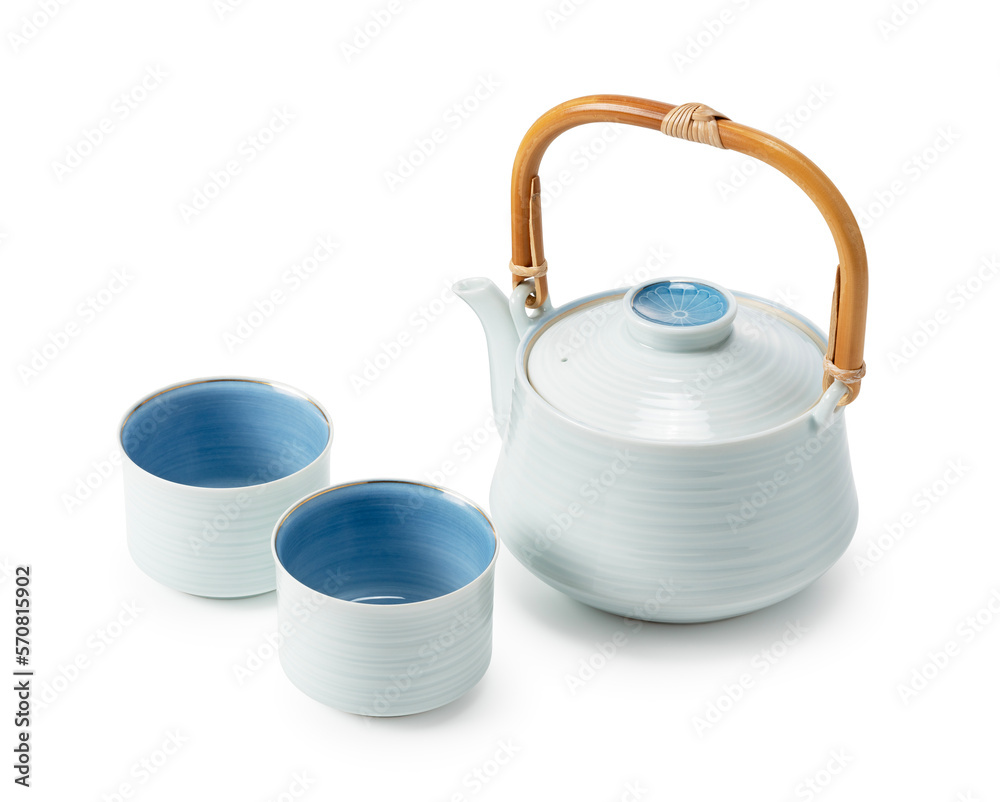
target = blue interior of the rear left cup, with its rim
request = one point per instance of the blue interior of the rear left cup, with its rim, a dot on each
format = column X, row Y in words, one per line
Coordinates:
column 225, row 433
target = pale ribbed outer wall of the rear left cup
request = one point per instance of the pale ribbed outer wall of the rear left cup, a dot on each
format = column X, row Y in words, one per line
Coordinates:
column 211, row 541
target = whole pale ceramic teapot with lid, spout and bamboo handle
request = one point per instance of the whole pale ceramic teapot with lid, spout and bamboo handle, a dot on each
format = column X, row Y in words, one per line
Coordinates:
column 674, row 451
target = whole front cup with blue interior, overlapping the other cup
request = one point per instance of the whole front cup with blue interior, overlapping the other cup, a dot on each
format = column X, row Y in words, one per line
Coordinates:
column 397, row 579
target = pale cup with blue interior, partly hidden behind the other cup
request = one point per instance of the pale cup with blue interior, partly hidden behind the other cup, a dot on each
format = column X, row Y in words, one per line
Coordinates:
column 209, row 467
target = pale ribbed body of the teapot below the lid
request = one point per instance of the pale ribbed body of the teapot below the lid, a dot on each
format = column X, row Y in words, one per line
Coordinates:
column 672, row 532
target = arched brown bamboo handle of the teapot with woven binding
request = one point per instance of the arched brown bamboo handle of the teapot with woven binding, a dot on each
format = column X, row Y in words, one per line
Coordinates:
column 845, row 356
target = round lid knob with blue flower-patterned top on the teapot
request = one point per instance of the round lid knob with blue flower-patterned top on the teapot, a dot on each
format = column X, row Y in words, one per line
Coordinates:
column 680, row 314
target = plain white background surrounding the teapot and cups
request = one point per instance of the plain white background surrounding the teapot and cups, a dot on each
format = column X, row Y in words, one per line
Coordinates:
column 903, row 119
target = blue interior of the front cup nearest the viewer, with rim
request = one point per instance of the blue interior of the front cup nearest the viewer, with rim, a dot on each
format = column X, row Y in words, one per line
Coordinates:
column 385, row 542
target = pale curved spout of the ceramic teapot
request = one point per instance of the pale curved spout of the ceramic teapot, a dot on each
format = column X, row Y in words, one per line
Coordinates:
column 493, row 309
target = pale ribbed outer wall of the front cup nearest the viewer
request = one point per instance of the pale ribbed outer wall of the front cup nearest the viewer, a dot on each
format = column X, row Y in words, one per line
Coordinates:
column 385, row 660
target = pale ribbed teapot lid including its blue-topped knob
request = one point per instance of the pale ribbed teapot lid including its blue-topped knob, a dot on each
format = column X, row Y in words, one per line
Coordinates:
column 678, row 360
